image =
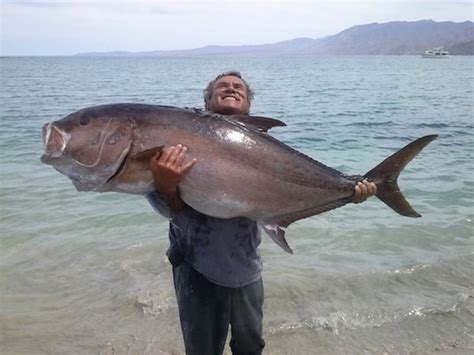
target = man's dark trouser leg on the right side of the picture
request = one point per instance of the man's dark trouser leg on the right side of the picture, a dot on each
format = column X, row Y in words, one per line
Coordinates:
column 246, row 319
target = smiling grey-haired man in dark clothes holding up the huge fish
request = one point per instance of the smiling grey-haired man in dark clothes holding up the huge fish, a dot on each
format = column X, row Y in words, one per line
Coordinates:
column 216, row 264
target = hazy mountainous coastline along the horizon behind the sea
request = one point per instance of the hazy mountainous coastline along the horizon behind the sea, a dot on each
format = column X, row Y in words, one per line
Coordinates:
column 391, row 38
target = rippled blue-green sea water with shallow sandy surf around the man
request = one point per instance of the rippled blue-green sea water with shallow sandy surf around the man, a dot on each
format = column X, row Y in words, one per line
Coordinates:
column 85, row 273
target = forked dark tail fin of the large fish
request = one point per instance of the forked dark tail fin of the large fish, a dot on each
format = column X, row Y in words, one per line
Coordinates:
column 385, row 176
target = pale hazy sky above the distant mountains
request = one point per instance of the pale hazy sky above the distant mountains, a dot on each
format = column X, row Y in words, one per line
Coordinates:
column 67, row 27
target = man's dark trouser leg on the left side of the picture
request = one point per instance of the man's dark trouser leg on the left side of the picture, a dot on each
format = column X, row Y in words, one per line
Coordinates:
column 204, row 311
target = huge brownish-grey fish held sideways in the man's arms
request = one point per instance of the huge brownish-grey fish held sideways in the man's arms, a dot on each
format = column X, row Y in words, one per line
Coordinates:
column 241, row 171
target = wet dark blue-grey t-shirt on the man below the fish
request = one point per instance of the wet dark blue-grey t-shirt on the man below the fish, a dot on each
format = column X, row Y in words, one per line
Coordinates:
column 223, row 250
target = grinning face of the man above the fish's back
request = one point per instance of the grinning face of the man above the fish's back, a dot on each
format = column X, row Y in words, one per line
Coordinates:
column 229, row 97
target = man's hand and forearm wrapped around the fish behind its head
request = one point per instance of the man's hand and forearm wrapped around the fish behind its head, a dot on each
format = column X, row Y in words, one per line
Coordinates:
column 168, row 169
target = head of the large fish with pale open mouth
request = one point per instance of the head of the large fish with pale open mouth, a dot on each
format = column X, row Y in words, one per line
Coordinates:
column 89, row 146
